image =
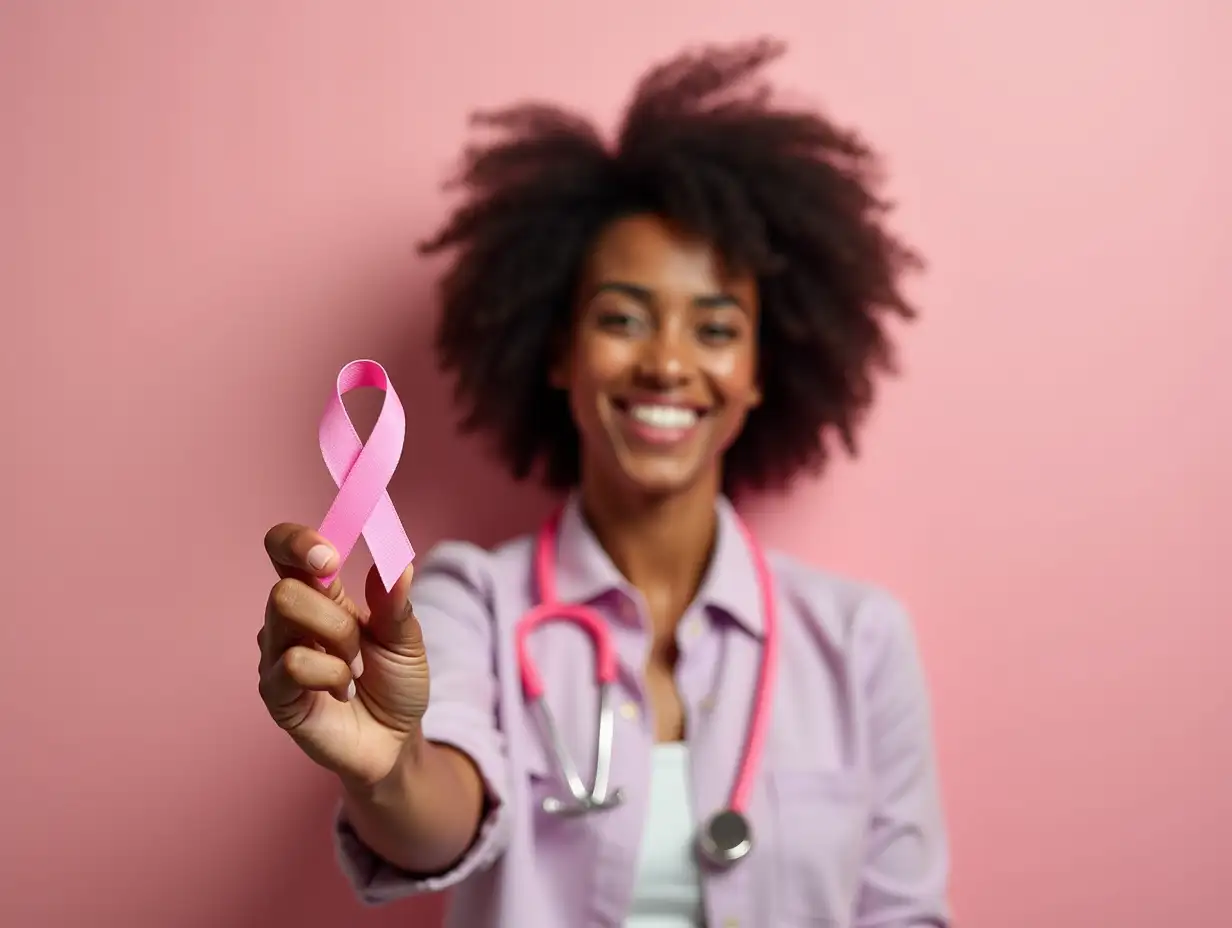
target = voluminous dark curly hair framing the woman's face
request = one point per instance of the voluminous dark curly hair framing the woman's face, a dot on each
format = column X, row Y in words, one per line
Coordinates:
column 782, row 194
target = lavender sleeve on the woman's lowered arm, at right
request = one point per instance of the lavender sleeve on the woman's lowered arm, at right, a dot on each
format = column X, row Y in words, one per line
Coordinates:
column 907, row 866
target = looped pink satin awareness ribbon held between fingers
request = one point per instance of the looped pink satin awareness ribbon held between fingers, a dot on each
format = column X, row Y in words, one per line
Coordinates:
column 363, row 473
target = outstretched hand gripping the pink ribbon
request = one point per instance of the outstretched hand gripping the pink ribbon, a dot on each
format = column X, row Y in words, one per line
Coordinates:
column 348, row 683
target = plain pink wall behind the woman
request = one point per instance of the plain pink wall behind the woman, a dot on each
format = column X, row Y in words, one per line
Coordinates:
column 208, row 208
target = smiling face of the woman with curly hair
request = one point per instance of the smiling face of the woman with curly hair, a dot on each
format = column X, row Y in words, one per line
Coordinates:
column 662, row 369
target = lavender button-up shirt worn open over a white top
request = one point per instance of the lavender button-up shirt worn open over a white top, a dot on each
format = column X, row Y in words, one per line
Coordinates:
column 847, row 814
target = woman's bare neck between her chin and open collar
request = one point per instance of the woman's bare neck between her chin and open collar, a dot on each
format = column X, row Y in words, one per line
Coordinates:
column 661, row 544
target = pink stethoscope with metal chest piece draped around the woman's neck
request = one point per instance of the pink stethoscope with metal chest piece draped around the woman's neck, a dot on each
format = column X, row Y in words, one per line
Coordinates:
column 727, row 835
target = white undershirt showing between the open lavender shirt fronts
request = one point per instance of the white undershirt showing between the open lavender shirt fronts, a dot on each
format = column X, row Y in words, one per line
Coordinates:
column 667, row 892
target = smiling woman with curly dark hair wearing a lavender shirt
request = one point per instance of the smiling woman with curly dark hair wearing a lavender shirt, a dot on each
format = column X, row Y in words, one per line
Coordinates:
column 652, row 330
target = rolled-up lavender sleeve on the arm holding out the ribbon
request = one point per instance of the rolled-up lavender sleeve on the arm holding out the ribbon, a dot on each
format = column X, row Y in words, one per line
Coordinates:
column 452, row 595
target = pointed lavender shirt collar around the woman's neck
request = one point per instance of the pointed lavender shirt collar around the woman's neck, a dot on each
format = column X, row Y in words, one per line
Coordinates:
column 585, row 572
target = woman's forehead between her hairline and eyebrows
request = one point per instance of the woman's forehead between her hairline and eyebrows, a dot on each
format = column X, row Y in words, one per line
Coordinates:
column 645, row 250
